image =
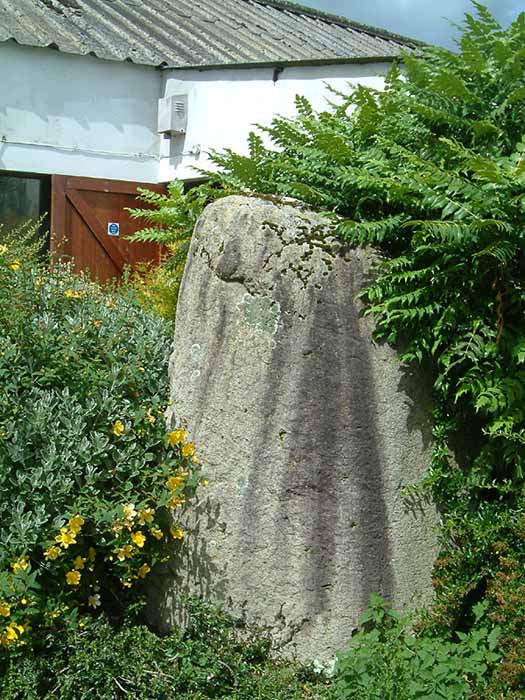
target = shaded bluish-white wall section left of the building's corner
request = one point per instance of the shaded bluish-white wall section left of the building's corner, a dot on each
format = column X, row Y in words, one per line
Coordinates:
column 77, row 115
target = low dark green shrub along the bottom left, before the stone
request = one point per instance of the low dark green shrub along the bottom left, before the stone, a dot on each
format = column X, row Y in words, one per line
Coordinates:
column 211, row 659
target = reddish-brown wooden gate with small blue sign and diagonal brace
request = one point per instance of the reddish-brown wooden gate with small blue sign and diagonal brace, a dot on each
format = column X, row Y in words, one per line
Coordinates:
column 89, row 224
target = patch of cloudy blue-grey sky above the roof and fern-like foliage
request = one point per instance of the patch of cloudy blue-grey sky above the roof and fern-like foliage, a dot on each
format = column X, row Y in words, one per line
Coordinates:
column 428, row 20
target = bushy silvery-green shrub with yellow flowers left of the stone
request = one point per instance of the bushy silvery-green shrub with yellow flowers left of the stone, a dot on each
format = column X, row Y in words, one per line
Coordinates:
column 91, row 483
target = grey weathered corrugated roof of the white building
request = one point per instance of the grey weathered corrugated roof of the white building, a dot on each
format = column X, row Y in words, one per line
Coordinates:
column 195, row 33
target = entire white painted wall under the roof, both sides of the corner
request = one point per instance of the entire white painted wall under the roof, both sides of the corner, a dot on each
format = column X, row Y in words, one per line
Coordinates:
column 80, row 115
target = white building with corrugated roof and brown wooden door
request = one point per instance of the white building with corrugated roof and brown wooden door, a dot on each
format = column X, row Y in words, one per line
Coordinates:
column 86, row 88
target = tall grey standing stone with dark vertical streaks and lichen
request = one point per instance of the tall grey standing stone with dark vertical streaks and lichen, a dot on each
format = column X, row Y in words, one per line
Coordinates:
column 307, row 431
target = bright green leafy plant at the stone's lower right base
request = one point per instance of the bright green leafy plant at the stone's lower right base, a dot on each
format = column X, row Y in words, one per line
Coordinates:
column 386, row 661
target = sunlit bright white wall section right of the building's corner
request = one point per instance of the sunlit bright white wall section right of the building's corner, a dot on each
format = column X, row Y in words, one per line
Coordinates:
column 225, row 104
